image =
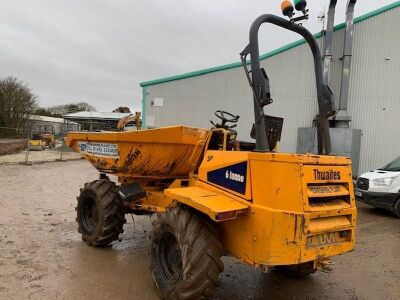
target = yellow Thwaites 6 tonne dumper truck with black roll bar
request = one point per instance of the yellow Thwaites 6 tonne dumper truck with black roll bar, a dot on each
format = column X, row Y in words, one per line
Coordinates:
column 213, row 194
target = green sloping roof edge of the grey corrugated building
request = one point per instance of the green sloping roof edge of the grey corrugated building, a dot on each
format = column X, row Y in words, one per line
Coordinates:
column 268, row 54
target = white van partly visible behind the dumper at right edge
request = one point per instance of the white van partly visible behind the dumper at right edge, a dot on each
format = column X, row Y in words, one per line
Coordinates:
column 381, row 188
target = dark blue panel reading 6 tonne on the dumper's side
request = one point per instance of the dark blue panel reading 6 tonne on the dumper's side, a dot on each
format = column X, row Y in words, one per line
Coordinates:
column 232, row 177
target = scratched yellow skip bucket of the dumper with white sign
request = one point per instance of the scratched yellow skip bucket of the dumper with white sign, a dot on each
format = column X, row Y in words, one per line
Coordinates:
column 168, row 152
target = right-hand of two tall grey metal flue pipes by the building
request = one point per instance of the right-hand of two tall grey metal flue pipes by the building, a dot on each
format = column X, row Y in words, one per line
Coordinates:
column 343, row 118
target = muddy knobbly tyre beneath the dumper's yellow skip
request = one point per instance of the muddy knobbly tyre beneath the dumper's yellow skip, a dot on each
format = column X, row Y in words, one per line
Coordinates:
column 100, row 213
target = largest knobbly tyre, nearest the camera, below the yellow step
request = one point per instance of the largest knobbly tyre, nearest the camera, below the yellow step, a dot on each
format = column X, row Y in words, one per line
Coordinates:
column 185, row 255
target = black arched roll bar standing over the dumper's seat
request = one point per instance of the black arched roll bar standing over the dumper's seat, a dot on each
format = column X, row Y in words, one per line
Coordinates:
column 260, row 83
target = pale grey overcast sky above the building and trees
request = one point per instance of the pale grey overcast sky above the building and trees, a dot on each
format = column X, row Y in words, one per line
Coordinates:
column 99, row 51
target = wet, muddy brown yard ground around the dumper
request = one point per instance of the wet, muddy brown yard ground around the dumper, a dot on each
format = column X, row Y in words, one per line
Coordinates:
column 42, row 255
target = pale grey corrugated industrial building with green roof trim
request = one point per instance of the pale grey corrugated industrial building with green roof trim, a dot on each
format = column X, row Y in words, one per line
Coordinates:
column 374, row 95
